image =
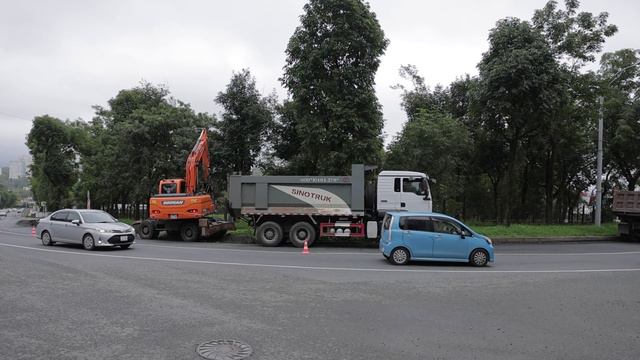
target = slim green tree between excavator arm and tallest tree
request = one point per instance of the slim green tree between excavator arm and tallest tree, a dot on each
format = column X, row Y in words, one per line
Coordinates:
column 245, row 123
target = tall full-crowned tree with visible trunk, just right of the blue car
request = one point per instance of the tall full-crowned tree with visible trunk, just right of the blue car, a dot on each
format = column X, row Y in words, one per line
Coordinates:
column 519, row 88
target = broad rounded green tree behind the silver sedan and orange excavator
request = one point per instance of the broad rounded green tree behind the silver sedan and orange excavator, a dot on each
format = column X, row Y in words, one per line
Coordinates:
column 143, row 136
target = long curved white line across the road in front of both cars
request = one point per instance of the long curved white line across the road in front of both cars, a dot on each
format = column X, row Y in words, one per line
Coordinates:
column 275, row 266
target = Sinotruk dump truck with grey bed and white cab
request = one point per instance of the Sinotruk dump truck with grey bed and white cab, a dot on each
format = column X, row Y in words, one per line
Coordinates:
column 305, row 208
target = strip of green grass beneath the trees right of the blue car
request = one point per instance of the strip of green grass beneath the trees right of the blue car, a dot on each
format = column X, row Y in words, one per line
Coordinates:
column 520, row 230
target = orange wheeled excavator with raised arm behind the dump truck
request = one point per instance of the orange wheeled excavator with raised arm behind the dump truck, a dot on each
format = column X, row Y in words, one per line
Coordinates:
column 179, row 208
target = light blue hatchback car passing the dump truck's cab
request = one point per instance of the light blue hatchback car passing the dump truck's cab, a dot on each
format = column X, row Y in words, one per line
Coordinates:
column 431, row 236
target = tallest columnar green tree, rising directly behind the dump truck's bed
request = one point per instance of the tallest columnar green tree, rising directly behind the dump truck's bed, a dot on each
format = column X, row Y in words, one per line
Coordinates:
column 332, row 59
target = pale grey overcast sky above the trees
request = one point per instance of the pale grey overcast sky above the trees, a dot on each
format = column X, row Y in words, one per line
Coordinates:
column 62, row 57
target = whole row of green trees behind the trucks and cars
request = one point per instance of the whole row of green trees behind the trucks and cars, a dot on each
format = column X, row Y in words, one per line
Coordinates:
column 514, row 143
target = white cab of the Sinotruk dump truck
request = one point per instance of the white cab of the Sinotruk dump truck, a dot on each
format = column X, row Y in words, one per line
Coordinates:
column 403, row 191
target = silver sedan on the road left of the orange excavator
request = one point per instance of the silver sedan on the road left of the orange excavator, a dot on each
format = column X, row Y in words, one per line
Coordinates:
column 91, row 228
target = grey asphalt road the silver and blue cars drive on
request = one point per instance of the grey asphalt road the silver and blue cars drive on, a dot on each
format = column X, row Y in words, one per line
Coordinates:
column 160, row 299
